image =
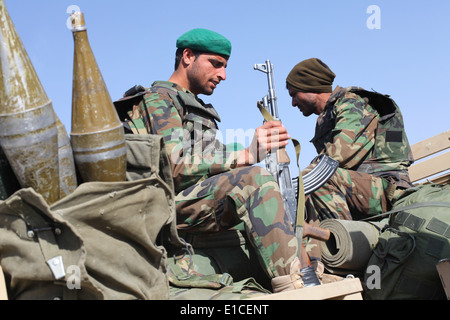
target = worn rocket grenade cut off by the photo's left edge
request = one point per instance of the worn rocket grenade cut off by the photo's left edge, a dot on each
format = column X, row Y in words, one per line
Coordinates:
column 28, row 133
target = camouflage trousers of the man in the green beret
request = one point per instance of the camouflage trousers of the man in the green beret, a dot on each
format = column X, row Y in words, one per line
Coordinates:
column 248, row 195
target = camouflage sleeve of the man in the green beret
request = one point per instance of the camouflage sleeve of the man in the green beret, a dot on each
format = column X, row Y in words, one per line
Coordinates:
column 191, row 161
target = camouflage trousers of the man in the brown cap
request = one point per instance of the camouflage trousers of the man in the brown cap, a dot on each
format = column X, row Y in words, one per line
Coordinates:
column 351, row 195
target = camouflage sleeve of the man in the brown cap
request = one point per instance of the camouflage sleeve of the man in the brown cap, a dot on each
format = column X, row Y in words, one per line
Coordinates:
column 353, row 136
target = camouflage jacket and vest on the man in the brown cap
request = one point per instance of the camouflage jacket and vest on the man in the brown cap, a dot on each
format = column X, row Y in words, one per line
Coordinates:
column 364, row 131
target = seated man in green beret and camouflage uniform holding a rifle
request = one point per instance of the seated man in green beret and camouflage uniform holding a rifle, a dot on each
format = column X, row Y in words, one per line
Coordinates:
column 216, row 186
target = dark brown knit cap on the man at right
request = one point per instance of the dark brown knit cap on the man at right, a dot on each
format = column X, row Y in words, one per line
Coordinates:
column 311, row 75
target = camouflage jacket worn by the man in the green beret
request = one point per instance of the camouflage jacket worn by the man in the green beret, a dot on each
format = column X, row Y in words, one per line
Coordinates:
column 189, row 128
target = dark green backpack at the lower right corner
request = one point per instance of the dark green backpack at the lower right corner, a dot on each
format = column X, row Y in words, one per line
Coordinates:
column 403, row 263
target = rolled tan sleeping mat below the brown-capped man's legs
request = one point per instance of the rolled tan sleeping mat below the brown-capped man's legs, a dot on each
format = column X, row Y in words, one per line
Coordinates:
column 350, row 245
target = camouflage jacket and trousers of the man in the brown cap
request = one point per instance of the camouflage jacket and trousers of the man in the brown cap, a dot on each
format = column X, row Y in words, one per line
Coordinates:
column 364, row 131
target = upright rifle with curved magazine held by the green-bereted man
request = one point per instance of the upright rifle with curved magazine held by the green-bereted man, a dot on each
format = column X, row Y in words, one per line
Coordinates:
column 292, row 190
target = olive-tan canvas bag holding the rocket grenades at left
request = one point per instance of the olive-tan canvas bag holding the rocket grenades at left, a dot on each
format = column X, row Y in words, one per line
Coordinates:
column 104, row 241
